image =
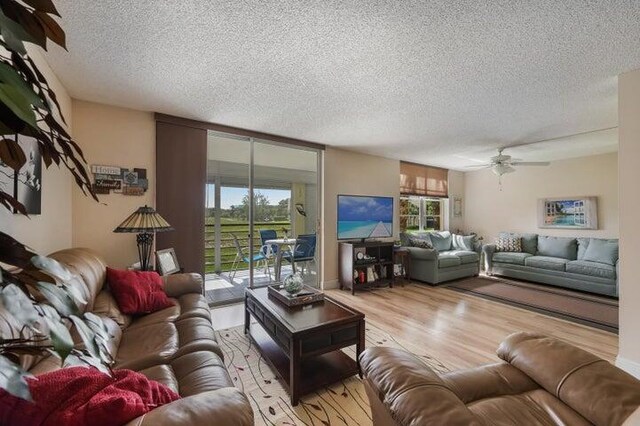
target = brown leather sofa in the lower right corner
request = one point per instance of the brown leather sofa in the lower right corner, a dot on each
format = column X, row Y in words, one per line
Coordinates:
column 542, row 381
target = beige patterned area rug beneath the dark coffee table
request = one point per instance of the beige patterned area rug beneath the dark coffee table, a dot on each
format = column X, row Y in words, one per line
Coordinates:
column 344, row 403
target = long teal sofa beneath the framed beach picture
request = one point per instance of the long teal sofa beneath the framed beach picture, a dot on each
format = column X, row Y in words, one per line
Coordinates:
column 586, row 264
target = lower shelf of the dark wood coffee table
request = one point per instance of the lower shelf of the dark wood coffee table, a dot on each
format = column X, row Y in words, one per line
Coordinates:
column 315, row 372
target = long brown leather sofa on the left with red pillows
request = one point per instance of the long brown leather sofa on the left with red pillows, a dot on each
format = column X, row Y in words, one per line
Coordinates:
column 175, row 346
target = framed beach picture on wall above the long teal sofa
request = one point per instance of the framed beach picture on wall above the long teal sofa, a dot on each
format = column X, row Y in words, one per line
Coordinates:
column 568, row 213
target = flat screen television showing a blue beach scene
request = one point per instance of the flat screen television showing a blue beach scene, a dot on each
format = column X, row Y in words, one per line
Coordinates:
column 362, row 217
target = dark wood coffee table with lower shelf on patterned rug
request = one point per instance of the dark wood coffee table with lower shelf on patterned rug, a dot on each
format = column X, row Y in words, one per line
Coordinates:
column 303, row 344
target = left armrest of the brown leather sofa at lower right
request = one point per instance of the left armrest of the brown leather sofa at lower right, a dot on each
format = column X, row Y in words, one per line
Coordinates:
column 410, row 391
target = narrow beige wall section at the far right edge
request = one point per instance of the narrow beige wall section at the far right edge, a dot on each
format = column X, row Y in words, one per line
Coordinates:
column 629, row 175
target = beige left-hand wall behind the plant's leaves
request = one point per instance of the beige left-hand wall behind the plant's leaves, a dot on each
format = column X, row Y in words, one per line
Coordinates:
column 51, row 230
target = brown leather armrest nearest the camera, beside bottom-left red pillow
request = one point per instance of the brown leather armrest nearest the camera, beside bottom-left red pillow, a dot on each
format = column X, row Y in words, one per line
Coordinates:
column 226, row 406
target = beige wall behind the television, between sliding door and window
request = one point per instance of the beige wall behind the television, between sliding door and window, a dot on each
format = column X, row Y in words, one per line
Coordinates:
column 347, row 172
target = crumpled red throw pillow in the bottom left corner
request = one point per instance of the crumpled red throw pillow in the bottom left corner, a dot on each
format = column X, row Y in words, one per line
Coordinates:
column 78, row 396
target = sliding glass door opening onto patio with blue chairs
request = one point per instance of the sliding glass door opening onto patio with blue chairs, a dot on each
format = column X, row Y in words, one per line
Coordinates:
column 261, row 214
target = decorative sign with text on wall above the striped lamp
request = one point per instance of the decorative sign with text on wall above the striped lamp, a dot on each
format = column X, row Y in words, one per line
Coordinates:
column 119, row 180
